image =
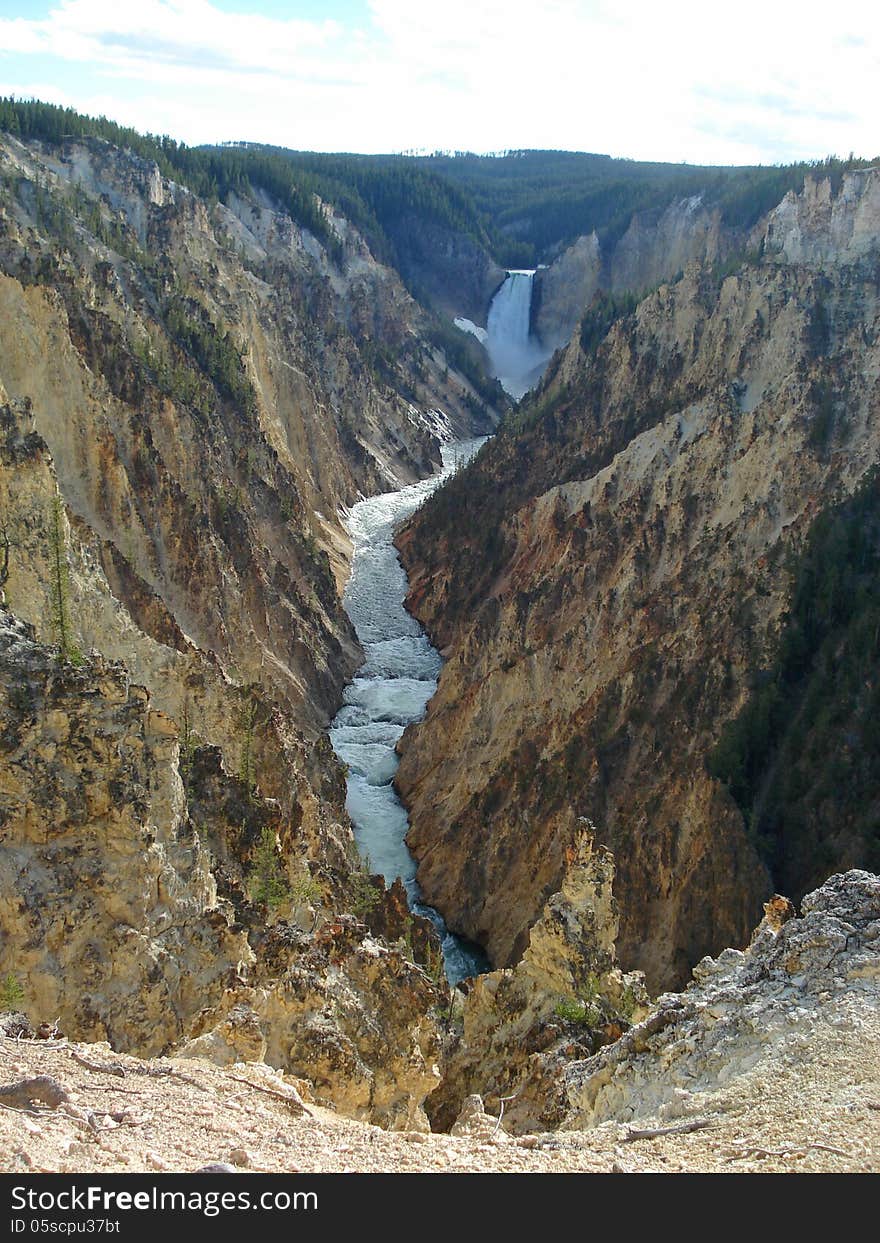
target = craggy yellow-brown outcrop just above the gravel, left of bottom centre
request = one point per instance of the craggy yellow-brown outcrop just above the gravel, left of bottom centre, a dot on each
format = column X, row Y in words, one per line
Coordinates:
column 354, row 1017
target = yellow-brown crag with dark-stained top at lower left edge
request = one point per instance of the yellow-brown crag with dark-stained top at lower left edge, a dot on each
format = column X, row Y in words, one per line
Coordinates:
column 109, row 906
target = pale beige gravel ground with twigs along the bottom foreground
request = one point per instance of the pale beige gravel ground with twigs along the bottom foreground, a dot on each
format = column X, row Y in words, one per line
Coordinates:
column 130, row 1116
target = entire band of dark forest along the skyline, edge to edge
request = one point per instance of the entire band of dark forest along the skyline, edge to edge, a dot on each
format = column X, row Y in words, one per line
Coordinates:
column 520, row 208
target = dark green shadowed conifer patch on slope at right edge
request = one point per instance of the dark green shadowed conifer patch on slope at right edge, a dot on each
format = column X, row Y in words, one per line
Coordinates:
column 802, row 759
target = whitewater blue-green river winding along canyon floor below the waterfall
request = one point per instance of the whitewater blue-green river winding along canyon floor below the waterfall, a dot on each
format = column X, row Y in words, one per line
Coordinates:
column 392, row 690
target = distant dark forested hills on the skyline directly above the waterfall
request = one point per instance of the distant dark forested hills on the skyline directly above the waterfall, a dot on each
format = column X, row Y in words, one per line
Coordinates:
column 525, row 206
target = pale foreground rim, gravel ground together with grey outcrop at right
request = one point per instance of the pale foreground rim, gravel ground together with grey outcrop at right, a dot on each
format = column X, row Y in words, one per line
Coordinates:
column 766, row 1063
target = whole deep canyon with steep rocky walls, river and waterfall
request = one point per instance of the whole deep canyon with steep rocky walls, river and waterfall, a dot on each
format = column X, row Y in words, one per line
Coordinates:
column 214, row 417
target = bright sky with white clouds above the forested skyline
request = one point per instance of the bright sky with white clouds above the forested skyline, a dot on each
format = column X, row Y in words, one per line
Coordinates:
column 758, row 81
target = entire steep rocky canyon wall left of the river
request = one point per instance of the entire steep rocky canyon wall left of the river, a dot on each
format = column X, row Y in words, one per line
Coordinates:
column 190, row 392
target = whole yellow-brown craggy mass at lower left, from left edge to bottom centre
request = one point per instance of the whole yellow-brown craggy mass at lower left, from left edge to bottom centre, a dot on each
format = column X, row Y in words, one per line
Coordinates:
column 126, row 909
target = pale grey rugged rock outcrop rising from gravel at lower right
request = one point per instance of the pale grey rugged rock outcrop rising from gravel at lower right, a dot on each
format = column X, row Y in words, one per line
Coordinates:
column 800, row 976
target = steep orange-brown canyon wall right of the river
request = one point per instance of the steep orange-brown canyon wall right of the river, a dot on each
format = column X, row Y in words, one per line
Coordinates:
column 610, row 576
